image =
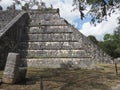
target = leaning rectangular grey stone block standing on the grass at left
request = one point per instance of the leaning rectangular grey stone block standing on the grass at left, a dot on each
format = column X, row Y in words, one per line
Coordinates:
column 10, row 74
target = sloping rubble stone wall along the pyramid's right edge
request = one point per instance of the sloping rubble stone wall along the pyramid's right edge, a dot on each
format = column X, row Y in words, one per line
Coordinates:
column 96, row 53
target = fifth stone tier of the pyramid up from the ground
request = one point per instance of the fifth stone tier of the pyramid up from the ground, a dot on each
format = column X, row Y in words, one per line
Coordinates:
column 49, row 29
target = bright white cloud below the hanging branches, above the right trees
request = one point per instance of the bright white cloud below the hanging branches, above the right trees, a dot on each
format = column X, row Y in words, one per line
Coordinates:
column 102, row 28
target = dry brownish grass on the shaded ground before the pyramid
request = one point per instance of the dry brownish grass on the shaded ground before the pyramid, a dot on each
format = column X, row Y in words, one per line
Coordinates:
column 68, row 79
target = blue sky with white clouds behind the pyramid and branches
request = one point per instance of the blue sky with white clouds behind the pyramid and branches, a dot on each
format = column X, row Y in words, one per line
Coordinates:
column 73, row 17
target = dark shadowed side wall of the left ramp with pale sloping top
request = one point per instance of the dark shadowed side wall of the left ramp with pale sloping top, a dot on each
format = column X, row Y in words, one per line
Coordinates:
column 11, row 35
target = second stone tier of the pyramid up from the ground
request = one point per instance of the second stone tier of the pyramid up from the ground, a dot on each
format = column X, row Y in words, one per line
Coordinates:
column 53, row 53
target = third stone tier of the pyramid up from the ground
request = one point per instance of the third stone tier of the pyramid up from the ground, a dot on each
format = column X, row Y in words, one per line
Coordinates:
column 50, row 45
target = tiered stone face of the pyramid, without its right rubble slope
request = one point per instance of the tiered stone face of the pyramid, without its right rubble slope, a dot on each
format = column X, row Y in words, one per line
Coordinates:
column 50, row 41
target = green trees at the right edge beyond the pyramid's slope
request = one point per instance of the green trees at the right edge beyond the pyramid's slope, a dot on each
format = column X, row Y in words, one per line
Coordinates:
column 111, row 43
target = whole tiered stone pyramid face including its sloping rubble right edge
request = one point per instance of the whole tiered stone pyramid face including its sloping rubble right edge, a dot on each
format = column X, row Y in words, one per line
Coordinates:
column 50, row 41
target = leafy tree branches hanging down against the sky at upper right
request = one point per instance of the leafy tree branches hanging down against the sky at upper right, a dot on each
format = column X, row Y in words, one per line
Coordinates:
column 100, row 9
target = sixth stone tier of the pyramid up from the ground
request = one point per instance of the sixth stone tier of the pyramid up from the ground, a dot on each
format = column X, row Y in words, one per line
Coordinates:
column 38, row 22
